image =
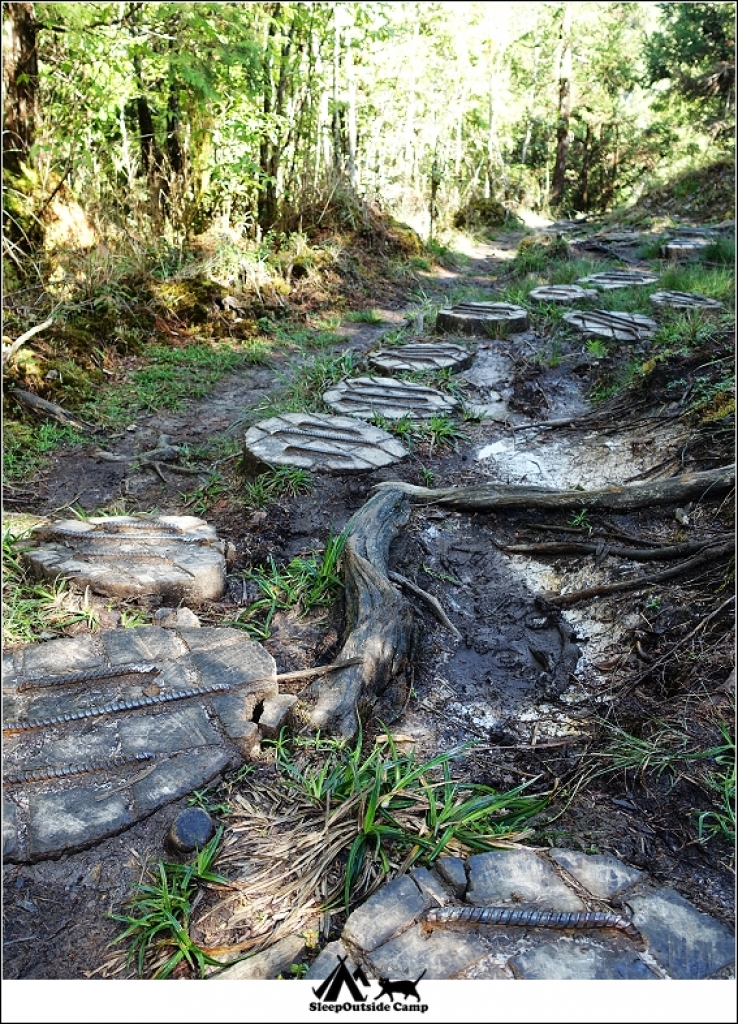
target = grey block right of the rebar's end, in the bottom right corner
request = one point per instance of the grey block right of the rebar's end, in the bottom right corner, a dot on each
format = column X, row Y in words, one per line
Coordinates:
column 689, row 945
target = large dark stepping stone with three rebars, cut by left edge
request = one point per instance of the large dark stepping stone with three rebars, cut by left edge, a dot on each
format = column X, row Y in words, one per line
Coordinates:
column 101, row 732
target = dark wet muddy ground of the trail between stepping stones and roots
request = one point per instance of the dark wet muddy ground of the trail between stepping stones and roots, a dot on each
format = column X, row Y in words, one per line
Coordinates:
column 527, row 681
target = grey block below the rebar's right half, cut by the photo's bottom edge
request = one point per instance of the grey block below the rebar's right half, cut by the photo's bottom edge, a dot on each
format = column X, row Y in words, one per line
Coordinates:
column 580, row 960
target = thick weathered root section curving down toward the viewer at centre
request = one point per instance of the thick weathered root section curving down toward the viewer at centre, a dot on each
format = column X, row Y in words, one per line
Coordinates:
column 379, row 619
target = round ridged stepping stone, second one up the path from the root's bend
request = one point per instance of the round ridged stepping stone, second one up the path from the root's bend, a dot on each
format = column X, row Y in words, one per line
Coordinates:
column 389, row 399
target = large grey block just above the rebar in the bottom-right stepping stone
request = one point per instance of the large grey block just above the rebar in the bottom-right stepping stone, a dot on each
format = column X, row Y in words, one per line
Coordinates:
column 518, row 875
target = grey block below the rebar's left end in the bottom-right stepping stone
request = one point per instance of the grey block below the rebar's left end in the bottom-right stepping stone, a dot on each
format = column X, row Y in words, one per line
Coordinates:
column 436, row 955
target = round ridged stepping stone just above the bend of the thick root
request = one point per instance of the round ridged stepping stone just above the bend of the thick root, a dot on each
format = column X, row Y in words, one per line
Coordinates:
column 318, row 442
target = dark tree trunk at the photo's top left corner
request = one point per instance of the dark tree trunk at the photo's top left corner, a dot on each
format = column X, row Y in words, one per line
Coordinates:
column 20, row 77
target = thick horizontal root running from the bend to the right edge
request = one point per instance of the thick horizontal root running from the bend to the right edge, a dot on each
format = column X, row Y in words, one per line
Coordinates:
column 498, row 497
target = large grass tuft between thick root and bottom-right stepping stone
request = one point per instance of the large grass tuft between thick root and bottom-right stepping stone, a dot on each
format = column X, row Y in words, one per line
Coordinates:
column 404, row 807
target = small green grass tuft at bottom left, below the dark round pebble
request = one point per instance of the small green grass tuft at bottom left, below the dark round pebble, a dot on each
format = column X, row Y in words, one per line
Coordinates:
column 159, row 922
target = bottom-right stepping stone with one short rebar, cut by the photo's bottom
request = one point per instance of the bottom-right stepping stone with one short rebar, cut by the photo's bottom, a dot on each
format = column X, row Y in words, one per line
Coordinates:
column 392, row 936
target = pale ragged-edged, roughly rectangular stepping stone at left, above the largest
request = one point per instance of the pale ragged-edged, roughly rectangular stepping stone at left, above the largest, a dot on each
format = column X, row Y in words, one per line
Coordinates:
column 172, row 558
